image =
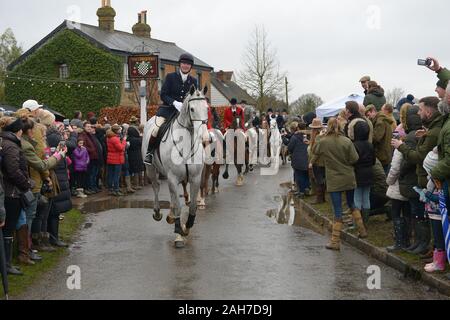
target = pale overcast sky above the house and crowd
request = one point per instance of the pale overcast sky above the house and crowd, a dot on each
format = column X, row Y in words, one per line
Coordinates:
column 324, row 45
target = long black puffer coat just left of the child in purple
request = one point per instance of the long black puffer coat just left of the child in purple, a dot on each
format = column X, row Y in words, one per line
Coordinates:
column 62, row 202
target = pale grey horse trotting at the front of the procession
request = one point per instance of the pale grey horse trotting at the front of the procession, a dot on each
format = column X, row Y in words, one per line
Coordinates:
column 181, row 158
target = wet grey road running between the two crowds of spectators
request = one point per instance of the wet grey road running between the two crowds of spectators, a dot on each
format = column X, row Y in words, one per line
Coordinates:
column 234, row 252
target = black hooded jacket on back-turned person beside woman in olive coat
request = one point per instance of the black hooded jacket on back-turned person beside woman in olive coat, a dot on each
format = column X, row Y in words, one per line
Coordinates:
column 366, row 152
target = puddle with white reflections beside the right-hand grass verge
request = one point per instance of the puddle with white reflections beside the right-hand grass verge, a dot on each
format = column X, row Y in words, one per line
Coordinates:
column 290, row 212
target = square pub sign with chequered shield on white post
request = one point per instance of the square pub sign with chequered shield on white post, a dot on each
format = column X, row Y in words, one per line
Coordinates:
column 143, row 67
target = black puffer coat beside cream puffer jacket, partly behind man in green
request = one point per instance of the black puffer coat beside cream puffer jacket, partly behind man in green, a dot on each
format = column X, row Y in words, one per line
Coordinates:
column 408, row 177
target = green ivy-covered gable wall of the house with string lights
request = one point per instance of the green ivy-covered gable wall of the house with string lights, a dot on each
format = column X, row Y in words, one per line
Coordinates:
column 85, row 62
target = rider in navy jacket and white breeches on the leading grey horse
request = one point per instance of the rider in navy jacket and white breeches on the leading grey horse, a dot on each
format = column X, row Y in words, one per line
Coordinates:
column 175, row 89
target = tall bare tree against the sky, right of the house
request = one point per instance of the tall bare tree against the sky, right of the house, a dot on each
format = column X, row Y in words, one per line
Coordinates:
column 261, row 75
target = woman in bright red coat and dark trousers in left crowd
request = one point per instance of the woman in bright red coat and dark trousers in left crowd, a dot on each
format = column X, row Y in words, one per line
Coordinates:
column 115, row 159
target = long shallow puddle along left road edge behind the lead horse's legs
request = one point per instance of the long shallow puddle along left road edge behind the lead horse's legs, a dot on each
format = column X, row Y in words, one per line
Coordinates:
column 118, row 203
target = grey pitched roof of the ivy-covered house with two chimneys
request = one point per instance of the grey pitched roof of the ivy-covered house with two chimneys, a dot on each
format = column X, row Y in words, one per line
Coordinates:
column 119, row 42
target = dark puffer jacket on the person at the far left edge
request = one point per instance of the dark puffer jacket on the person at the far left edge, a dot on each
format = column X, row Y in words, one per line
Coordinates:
column 14, row 166
